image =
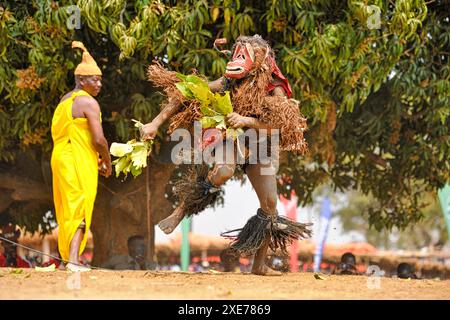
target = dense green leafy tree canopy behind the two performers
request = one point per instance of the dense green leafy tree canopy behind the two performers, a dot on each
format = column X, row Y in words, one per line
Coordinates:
column 377, row 99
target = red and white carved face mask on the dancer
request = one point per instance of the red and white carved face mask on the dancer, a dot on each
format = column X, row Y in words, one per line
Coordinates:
column 241, row 63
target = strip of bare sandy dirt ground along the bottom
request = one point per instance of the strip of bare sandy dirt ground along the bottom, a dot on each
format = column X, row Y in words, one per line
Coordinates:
column 102, row 284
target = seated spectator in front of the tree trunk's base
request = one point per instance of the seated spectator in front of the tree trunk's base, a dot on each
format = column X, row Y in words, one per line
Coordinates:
column 135, row 260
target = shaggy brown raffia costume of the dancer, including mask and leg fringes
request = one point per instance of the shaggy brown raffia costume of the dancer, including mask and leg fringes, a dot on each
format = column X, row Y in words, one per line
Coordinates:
column 252, row 77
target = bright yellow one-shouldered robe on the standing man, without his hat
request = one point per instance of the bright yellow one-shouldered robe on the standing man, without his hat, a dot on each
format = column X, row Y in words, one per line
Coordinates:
column 75, row 173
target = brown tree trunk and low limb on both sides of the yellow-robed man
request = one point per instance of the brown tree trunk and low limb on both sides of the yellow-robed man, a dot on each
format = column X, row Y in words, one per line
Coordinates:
column 120, row 209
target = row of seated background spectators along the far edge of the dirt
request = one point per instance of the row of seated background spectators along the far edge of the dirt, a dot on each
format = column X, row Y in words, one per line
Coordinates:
column 226, row 262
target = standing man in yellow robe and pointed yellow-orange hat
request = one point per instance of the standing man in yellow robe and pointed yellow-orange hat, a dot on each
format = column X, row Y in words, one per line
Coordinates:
column 80, row 152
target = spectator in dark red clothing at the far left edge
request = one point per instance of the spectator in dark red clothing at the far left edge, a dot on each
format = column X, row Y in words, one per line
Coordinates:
column 10, row 258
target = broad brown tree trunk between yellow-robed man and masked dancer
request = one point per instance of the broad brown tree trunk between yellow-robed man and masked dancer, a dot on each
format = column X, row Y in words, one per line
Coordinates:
column 121, row 211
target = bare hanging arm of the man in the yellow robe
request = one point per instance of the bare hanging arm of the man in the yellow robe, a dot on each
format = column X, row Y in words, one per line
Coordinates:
column 91, row 110
